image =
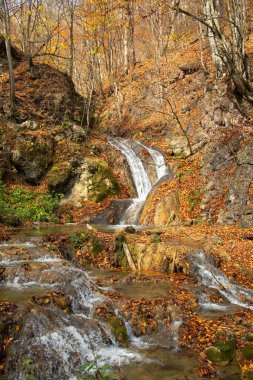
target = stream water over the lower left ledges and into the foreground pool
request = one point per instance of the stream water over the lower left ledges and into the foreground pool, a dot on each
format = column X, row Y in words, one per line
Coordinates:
column 57, row 344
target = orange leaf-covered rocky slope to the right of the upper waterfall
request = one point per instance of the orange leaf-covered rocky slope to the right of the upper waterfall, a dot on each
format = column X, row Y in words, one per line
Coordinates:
column 204, row 130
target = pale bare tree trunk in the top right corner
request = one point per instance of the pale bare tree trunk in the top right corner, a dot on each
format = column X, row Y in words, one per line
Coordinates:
column 226, row 25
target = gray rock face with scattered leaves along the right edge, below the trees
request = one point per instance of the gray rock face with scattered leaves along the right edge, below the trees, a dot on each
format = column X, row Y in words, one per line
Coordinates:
column 227, row 162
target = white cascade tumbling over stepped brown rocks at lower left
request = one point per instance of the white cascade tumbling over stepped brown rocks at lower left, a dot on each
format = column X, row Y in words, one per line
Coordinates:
column 59, row 343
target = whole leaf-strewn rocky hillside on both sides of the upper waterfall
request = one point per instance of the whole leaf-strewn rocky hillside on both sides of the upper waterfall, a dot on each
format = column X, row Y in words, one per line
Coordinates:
column 203, row 130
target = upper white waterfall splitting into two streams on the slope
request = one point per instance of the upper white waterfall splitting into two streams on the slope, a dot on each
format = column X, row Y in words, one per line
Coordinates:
column 140, row 176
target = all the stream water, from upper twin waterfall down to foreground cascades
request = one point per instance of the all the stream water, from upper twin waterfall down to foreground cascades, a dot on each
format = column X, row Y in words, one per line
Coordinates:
column 58, row 316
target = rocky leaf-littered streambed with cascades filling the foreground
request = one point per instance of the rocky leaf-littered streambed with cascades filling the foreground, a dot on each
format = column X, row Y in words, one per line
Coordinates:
column 63, row 317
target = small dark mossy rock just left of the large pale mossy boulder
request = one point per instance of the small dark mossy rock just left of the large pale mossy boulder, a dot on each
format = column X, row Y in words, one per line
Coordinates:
column 59, row 176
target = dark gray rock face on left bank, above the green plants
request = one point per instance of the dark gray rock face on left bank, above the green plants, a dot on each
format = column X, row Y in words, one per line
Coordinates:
column 32, row 156
